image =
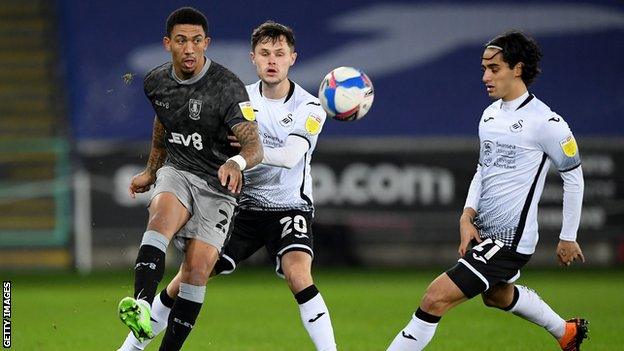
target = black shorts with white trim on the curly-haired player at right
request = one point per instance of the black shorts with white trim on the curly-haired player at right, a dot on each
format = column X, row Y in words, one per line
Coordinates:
column 486, row 265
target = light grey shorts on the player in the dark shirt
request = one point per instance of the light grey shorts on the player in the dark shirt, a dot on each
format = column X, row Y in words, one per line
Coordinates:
column 211, row 210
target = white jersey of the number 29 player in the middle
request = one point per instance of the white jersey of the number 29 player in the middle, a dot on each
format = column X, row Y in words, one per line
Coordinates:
column 278, row 188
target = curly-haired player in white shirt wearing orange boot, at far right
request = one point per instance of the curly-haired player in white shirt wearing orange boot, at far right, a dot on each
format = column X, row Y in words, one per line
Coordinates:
column 520, row 137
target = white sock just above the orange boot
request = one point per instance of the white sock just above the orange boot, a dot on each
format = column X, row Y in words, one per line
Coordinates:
column 532, row 308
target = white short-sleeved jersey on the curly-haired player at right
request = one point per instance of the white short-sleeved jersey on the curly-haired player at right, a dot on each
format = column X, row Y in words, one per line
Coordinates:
column 517, row 148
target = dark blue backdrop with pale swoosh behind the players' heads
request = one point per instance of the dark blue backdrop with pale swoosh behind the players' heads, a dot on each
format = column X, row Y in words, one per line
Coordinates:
column 423, row 57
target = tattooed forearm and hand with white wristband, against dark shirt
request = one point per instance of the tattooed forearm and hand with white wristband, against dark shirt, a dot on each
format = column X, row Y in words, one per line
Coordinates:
column 250, row 155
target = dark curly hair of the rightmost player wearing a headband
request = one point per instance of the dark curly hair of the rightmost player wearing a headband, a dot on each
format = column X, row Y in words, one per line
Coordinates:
column 519, row 47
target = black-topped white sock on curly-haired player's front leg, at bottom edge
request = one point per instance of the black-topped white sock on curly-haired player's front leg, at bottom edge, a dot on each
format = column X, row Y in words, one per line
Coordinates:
column 417, row 334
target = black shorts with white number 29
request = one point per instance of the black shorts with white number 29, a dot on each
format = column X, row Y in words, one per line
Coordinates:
column 279, row 231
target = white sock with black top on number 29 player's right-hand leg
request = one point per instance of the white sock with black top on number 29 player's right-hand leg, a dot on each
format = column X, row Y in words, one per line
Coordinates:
column 315, row 318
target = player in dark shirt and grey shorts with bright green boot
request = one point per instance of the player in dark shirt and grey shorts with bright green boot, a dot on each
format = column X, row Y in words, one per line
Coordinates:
column 196, row 172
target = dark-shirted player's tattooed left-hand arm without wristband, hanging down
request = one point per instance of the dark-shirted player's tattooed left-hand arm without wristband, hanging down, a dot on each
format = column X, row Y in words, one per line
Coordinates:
column 142, row 182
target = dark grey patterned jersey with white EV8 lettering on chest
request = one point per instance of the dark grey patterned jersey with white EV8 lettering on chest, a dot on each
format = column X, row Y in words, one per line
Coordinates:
column 198, row 114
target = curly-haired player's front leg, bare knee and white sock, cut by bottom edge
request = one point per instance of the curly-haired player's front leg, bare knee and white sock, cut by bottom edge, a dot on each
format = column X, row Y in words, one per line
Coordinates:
column 441, row 295
